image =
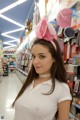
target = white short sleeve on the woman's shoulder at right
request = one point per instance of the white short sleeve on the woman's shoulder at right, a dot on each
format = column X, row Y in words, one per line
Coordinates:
column 64, row 93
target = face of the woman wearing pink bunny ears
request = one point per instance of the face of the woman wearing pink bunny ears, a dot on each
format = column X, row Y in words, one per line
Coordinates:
column 41, row 59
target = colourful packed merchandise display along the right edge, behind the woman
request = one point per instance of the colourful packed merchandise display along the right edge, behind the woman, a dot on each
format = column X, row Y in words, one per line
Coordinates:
column 71, row 54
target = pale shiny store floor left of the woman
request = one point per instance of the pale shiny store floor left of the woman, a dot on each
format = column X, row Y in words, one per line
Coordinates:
column 9, row 88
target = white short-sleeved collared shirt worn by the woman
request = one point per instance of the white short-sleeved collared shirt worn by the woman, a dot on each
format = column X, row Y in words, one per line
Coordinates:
column 34, row 105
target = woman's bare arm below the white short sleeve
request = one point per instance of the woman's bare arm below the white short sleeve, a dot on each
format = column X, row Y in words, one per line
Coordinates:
column 63, row 110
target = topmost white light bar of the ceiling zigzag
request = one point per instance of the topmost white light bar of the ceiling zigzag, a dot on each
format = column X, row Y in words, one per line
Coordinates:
column 12, row 6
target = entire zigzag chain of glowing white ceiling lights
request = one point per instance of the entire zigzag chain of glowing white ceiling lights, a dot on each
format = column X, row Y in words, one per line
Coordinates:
column 12, row 21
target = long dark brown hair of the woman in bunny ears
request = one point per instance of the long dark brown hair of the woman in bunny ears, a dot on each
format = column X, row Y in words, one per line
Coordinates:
column 57, row 69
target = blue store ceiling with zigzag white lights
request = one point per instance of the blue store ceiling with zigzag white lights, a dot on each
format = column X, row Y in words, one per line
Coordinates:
column 19, row 14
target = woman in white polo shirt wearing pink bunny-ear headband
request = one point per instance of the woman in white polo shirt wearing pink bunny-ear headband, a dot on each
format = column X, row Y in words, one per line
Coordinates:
column 45, row 91
